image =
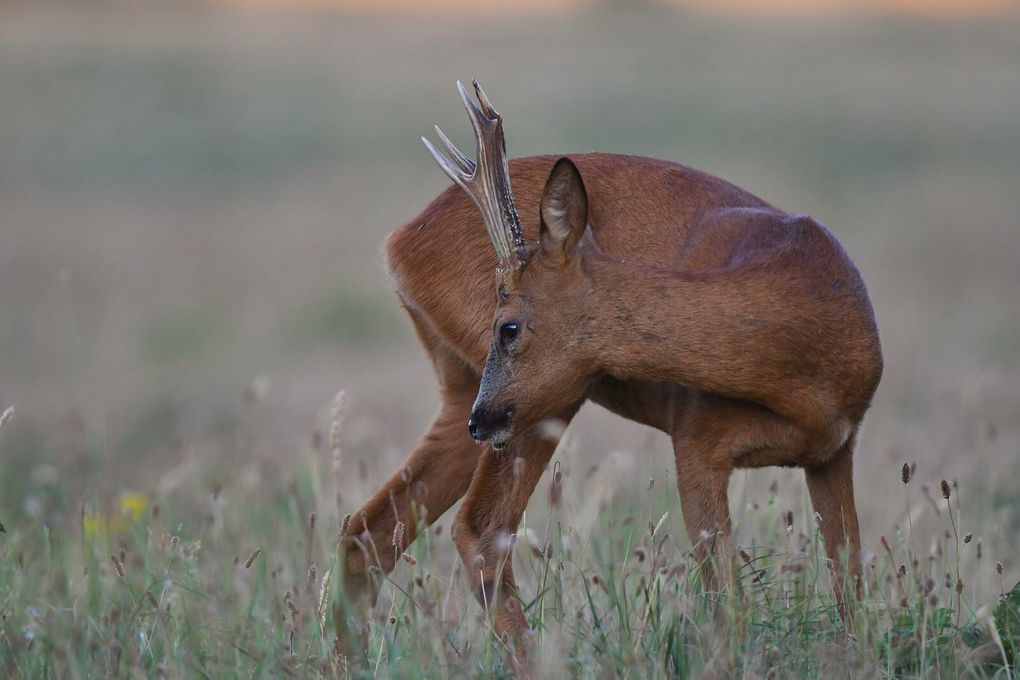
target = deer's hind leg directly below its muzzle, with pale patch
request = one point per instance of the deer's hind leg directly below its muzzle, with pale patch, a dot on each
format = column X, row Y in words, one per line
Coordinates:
column 487, row 525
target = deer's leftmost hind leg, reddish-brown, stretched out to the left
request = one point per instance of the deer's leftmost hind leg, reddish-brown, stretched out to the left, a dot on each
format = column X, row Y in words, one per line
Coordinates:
column 434, row 478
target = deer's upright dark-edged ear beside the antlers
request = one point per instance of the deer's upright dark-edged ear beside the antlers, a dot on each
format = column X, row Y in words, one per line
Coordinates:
column 564, row 210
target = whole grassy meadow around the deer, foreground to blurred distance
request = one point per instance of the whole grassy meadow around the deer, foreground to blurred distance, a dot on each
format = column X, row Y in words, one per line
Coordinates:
column 192, row 203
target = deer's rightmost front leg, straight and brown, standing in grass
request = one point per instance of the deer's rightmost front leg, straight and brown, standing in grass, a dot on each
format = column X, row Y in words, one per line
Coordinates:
column 832, row 488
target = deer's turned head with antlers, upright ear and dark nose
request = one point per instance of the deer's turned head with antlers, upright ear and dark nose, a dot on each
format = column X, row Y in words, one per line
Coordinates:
column 545, row 344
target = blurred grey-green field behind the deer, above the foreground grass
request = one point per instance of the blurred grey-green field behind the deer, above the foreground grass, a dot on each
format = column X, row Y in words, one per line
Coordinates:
column 193, row 198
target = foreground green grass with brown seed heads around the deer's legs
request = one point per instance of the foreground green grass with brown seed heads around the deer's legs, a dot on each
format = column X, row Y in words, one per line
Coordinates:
column 237, row 577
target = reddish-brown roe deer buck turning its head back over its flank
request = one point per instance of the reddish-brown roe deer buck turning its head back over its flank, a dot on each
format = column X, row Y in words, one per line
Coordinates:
column 664, row 294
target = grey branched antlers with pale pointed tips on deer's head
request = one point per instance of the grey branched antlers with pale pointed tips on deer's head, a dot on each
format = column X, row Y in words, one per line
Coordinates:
column 488, row 181
